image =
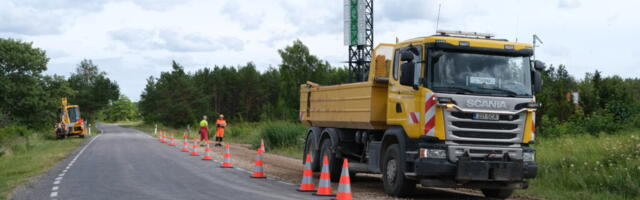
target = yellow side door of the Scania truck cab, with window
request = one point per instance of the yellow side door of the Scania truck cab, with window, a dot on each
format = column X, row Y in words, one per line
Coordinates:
column 403, row 106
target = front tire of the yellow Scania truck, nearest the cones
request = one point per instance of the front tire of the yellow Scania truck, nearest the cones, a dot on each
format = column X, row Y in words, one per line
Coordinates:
column 395, row 182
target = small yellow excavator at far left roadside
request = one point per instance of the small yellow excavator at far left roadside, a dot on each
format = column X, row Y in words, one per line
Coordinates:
column 70, row 123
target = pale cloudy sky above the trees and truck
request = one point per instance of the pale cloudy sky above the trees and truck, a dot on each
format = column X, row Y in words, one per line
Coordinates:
column 132, row 40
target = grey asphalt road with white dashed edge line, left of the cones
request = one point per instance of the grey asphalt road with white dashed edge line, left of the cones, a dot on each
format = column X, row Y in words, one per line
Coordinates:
column 128, row 164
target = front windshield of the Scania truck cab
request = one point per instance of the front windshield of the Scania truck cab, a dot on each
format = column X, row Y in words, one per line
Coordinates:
column 480, row 74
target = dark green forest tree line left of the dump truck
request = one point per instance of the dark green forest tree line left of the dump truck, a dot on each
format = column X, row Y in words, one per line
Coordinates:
column 241, row 93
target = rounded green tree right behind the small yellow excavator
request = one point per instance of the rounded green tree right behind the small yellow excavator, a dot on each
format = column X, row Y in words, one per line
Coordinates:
column 95, row 90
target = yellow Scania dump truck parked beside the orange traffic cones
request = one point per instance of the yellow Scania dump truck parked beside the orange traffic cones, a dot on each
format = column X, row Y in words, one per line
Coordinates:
column 455, row 109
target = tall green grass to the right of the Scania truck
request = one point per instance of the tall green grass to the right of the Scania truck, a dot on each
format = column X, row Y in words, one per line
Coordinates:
column 588, row 167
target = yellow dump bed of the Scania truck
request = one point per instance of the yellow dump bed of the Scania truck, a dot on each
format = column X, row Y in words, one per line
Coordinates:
column 359, row 105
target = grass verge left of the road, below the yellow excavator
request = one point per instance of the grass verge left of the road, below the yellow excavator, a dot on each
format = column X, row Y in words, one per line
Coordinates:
column 30, row 155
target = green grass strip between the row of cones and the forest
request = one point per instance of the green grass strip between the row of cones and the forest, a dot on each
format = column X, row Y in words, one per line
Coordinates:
column 280, row 137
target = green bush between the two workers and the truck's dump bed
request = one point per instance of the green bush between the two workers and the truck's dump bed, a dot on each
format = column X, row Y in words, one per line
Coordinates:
column 282, row 134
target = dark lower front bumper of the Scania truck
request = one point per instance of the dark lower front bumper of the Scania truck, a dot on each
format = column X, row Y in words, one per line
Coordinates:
column 475, row 170
